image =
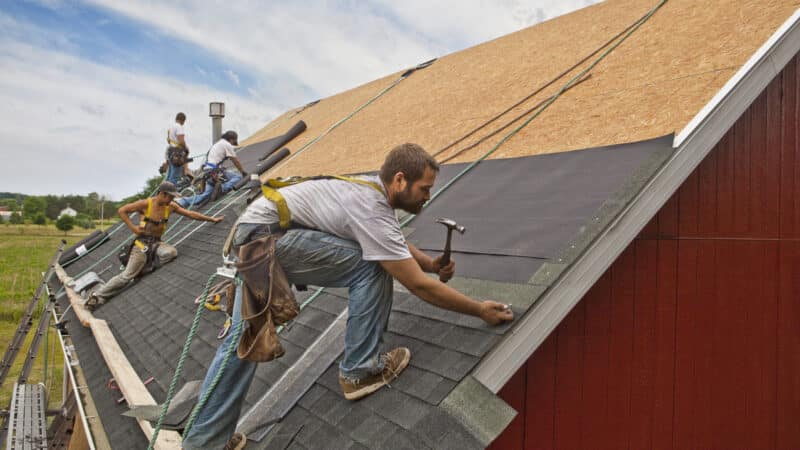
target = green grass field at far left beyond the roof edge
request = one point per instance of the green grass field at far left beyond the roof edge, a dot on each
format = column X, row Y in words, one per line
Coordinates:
column 25, row 251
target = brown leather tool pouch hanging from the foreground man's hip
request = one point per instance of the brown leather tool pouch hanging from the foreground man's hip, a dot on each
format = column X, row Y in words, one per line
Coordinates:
column 267, row 300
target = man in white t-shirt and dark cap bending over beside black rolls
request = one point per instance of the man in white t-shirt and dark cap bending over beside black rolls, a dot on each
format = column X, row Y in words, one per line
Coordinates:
column 223, row 150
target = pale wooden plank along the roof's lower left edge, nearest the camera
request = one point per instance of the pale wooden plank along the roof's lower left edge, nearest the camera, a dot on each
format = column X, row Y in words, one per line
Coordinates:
column 131, row 386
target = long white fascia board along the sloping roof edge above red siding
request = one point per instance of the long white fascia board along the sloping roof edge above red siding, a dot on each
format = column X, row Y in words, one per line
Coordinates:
column 693, row 144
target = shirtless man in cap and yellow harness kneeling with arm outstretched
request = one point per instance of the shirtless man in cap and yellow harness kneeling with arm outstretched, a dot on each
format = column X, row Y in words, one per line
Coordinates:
column 147, row 248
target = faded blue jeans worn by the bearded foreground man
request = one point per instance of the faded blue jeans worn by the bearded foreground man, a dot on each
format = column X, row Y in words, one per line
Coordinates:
column 307, row 257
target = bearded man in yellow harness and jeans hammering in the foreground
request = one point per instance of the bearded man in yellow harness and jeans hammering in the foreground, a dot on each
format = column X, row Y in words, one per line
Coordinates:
column 344, row 233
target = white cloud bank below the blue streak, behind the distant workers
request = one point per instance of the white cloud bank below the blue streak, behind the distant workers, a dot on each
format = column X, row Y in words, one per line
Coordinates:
column 72, row 126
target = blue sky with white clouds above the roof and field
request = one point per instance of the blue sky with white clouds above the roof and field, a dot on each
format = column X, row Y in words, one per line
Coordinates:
column 89, row 87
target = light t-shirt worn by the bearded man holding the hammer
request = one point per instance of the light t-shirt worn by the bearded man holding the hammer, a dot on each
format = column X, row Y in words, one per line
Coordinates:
column 349, row 210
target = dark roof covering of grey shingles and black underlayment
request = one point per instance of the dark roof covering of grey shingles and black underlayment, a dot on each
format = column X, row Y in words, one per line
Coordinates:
column 520, row 214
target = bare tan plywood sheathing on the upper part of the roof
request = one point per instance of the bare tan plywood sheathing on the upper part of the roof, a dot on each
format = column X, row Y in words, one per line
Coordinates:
column 651, row 85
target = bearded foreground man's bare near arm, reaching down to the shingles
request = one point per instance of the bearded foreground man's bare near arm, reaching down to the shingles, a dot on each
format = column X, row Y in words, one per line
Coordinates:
column 409, row 273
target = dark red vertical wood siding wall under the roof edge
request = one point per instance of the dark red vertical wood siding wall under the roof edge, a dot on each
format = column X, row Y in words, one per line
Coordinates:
column 692, row 338
